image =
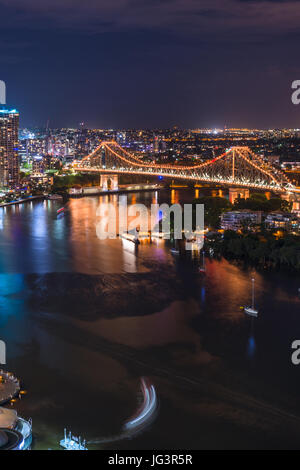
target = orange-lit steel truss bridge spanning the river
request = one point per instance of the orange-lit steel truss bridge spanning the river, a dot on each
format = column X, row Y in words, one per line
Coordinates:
column 238, row 166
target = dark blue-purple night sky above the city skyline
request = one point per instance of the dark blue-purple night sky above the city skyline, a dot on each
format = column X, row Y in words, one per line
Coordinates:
column 151, row 63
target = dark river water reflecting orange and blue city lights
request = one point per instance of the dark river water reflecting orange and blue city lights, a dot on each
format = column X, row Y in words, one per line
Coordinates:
column 85, row 319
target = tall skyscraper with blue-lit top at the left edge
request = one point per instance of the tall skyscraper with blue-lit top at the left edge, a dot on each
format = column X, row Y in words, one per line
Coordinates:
column 9, row 138
